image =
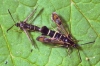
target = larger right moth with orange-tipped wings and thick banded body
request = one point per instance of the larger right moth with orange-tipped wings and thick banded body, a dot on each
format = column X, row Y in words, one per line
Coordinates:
column 61, row 38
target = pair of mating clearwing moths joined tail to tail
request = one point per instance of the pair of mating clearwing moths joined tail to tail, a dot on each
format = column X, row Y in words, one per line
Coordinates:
column 62, row 38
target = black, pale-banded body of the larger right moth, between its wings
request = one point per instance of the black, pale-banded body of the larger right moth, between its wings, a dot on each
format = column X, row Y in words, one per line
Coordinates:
column 55, row 35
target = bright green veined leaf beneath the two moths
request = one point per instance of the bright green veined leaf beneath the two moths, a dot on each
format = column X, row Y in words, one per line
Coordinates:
column 82, row 17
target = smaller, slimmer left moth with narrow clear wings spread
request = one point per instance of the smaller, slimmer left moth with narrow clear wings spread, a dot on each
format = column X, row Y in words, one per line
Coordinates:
column 23, row 25
